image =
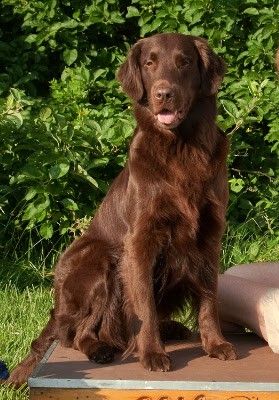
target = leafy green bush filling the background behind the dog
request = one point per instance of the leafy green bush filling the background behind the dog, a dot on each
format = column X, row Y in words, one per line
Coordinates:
column 64, row 125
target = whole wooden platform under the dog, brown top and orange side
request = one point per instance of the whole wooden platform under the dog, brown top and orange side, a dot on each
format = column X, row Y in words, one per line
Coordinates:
column 67, row 374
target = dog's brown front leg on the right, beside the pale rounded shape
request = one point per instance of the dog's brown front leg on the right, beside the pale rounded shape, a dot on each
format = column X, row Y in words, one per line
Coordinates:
column 212, row 225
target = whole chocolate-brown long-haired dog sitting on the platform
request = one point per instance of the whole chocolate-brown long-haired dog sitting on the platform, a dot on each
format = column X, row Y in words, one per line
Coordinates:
column 155, row 241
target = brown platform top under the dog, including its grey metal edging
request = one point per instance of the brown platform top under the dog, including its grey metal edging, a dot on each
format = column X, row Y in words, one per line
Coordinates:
column 257, row 368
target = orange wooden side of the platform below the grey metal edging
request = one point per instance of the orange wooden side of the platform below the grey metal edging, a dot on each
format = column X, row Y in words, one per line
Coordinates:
column 106, row 394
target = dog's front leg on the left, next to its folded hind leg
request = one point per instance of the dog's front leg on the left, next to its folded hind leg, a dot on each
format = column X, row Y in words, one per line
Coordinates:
column 137, row 274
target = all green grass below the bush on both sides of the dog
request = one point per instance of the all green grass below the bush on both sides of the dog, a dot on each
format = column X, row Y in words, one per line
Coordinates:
column 26, row 294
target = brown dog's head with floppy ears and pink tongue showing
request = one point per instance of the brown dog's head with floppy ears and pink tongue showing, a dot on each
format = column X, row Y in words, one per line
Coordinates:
column 167, row 72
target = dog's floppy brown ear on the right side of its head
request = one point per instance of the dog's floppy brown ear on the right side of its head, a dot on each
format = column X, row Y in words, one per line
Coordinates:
column 212, row 67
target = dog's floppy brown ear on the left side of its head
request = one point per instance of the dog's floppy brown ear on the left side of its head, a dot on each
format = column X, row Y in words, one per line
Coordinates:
column 129, row 74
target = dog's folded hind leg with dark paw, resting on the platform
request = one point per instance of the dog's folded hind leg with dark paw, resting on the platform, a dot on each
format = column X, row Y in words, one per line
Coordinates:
column 83, row 303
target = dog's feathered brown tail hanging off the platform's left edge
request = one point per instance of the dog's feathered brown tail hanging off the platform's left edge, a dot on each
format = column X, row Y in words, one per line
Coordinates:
column 39, row 346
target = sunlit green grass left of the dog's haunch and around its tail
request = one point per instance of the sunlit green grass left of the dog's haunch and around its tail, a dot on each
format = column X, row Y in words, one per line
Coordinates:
column 23, row 313
